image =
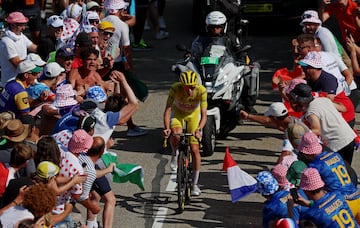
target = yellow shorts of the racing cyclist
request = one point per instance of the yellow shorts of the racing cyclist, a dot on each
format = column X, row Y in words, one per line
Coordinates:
column 192, row 122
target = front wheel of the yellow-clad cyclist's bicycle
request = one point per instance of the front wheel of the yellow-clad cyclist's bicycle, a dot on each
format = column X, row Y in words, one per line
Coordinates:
column 181, row 180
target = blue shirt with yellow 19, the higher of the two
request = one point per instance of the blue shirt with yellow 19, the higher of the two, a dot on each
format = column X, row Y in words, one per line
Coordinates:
column 333, row 171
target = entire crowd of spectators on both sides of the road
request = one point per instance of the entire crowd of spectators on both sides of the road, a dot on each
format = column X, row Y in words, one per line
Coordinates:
column 73, row 77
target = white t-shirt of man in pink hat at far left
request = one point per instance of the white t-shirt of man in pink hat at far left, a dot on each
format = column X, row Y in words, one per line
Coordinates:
column 12, row 45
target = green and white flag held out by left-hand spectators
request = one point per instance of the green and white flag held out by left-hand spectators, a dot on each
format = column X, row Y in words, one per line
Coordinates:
column 124, row 172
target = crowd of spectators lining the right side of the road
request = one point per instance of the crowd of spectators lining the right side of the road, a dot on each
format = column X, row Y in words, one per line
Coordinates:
column 313, row 183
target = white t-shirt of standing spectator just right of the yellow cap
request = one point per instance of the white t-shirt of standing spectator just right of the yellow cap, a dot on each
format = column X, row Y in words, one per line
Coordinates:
column 121, row 35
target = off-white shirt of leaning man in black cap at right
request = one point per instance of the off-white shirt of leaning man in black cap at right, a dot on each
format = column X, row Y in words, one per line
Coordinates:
column 335, row 132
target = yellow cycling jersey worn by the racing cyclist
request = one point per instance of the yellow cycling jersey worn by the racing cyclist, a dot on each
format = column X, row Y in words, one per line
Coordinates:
column 182, row 102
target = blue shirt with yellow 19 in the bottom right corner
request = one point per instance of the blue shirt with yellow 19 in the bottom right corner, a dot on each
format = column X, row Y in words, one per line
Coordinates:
column 331, row 211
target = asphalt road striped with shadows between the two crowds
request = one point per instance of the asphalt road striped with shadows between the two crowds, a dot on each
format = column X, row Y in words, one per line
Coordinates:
column 253, row 147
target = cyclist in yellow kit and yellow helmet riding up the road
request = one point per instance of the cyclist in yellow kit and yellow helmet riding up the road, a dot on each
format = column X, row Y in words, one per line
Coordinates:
column 187, row 102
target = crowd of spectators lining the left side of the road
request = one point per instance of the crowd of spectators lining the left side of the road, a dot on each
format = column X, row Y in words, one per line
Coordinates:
column 64, row 90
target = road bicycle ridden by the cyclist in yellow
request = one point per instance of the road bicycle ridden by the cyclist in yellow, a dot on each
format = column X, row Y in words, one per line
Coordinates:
column 184, row 170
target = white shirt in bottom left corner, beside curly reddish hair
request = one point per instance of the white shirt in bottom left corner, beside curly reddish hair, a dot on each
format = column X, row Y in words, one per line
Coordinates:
column 13, row 215
